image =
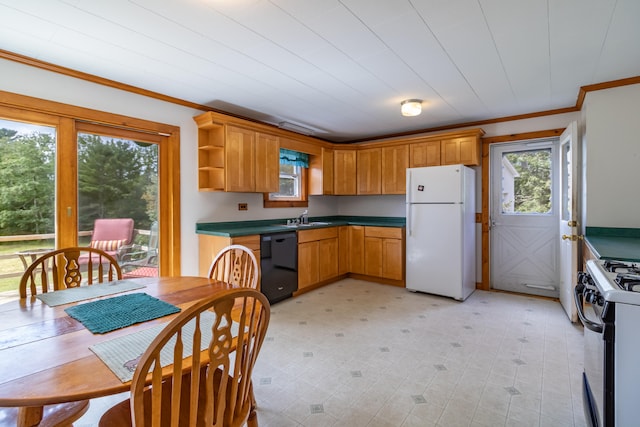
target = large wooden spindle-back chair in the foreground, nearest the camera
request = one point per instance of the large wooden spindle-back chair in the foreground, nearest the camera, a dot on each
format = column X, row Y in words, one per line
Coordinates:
column 210, row 388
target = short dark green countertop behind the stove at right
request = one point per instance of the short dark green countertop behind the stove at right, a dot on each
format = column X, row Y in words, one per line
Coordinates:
column 614, row 243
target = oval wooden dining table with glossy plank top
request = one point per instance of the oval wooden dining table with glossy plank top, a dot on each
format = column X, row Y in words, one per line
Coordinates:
column 44, row 353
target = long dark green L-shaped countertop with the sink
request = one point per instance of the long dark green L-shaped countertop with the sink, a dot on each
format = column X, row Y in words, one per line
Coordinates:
column 247, row 228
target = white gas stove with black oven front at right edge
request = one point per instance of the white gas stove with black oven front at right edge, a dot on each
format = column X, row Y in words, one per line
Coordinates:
column 608, row 301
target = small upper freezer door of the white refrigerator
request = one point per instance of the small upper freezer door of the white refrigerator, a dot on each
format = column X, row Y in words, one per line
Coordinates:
column 435, row 184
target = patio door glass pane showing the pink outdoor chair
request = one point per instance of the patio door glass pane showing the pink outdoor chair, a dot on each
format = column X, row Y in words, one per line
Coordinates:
column 118, row 179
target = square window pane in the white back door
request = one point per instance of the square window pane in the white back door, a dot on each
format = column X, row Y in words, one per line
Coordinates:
column 526, row 182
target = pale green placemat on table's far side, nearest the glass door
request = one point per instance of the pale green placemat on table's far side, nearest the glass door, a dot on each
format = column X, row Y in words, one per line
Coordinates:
column 81, row 293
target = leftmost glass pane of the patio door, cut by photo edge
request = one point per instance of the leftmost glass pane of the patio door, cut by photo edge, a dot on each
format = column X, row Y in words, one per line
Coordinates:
column 27, row 197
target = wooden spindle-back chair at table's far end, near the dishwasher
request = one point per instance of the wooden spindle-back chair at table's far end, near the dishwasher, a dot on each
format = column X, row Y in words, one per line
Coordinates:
column 237, row 265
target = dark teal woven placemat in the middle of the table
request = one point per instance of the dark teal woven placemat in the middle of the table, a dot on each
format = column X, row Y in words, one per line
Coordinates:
column 106, row 315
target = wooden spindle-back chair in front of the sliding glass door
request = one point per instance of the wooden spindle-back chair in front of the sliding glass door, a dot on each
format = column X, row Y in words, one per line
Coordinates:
column 68, row 268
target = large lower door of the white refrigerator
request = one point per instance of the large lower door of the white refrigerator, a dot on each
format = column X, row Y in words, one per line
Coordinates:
column 435, row 250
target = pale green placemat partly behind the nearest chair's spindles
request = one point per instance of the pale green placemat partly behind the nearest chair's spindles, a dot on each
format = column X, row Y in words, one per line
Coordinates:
column 122, row 354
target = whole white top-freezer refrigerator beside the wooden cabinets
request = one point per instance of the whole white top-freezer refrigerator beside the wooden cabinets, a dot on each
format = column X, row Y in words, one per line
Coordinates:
column 440, row 231
